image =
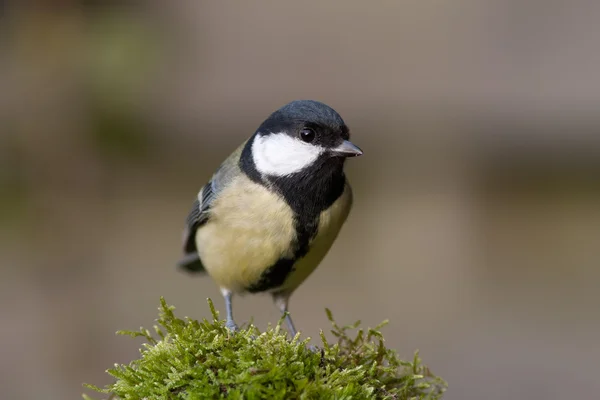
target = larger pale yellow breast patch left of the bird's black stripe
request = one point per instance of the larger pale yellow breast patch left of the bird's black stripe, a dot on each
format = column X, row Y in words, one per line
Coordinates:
column 249, row 229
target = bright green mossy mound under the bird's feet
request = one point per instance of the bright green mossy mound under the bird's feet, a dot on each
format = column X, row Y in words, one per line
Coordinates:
column 187, row 359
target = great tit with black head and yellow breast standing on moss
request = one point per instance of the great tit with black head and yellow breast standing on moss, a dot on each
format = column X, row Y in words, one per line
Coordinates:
column 274, row 207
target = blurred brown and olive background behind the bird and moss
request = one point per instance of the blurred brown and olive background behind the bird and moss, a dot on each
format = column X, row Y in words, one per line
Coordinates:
column 476, row 226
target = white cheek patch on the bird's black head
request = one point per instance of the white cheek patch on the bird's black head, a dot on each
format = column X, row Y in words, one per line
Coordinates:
column 279, row 154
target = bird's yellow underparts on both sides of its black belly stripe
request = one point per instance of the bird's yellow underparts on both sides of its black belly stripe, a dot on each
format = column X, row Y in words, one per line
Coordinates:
column 251, row 228
